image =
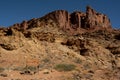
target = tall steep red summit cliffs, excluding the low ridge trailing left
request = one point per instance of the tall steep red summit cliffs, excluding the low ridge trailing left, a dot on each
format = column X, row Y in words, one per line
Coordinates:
column 77, row 20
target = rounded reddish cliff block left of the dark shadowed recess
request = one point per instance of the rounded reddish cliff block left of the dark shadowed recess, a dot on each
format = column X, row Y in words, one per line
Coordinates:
column 61, row 17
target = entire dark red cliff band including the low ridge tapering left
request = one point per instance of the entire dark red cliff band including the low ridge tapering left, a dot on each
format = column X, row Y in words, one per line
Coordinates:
column 74, row 23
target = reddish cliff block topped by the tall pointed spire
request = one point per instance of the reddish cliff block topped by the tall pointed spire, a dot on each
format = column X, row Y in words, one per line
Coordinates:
column 95, row 19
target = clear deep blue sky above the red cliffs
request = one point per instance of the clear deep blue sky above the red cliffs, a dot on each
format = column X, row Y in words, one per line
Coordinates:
column 15, row 11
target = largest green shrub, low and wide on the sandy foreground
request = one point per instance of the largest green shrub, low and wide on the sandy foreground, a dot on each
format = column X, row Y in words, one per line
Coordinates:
column 65, row 67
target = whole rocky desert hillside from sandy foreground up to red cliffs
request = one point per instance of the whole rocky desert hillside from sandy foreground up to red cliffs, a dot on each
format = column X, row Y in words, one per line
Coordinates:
column 59, row 41
